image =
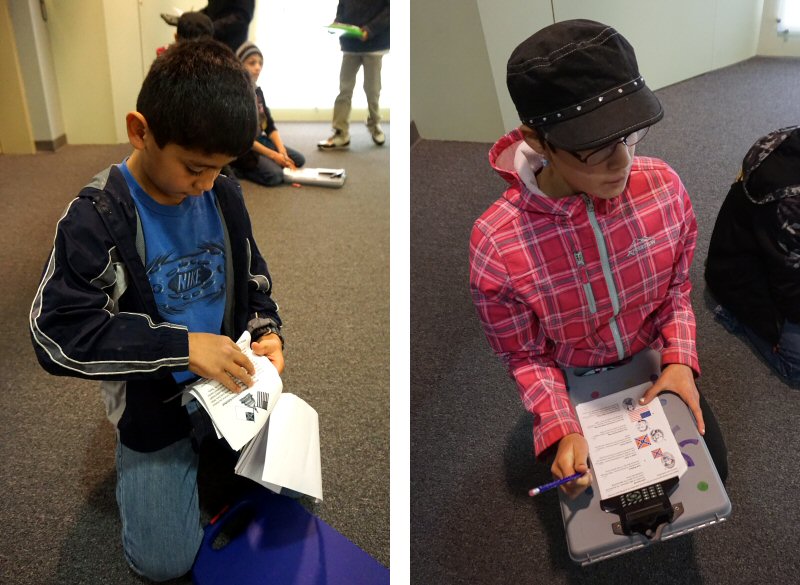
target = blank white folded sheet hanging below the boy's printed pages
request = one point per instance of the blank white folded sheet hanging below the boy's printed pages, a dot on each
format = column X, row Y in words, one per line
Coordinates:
column 286, row 451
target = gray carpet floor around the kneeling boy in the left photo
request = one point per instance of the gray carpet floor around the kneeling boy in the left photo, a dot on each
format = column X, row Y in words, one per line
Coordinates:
column 328, row 252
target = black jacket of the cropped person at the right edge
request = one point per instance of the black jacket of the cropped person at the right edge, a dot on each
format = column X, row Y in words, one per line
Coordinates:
column 753, row 265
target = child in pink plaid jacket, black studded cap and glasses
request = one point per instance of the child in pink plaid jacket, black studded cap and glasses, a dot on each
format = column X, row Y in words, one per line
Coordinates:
column 584, row 261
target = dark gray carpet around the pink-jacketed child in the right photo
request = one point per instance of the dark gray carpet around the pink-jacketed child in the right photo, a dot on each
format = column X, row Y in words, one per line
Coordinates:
column 471, row 464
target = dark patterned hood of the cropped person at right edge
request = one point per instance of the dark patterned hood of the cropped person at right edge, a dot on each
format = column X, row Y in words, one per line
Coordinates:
column 771, row 168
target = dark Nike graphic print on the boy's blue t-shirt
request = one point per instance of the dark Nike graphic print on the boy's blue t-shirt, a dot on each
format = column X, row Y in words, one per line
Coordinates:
column 181, row 281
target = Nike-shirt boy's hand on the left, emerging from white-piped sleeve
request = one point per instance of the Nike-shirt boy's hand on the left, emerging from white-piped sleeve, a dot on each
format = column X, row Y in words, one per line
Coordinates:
column 218, row 358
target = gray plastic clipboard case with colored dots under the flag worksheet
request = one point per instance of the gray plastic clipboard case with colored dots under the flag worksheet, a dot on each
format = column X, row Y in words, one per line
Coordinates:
column 697, row 499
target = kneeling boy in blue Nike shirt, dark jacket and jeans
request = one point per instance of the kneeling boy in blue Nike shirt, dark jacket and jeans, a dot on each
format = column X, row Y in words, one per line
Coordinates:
column 154, row 271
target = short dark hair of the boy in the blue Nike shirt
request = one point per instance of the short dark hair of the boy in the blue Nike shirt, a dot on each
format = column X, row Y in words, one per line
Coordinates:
column 199, row 96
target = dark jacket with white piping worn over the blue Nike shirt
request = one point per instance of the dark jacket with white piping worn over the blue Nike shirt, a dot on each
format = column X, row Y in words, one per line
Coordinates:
column 94, row 315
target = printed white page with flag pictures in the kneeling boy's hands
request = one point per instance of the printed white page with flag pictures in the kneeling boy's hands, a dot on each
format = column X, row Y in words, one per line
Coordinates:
column 239, row 417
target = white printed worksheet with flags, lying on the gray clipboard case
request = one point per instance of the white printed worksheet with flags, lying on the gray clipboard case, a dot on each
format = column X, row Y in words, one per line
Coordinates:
column 630, row 446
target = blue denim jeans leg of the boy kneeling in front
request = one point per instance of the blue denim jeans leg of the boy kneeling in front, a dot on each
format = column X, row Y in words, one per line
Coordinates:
column 159, row 509
